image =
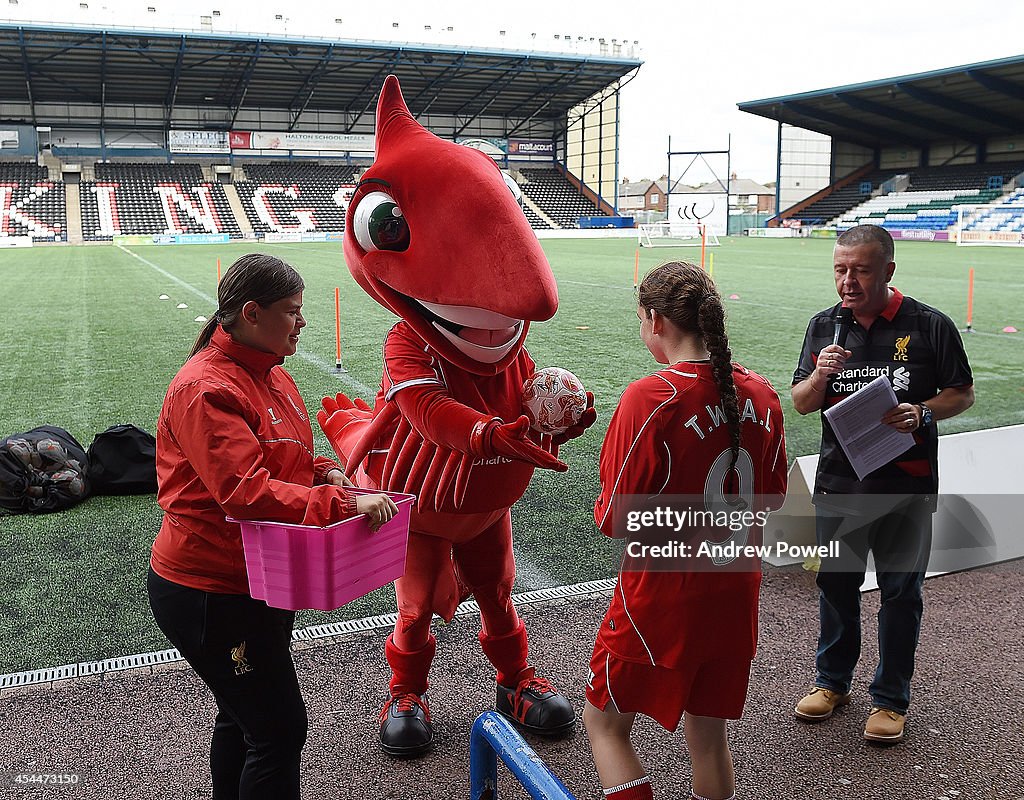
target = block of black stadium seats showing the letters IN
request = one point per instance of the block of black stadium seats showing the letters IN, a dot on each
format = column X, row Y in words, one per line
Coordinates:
column 153, row 199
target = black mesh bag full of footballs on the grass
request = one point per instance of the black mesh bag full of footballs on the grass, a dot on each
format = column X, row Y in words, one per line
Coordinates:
column 44, row 470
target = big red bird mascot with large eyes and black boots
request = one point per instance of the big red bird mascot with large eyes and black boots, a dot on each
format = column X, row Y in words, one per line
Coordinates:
column 436, row 234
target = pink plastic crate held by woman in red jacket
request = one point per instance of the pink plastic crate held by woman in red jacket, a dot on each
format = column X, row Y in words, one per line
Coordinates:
column 305, row 567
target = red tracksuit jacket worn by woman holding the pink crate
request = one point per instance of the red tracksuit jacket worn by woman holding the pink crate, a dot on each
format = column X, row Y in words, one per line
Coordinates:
column 234, row 440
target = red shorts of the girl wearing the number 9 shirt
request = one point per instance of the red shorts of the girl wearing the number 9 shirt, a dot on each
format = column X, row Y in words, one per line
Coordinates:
column 710, row 689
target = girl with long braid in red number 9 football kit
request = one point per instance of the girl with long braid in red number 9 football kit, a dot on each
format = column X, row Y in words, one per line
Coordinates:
column 679, row 637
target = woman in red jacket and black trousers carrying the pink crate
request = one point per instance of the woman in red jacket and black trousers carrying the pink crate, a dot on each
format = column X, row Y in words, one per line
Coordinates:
column 234, row 440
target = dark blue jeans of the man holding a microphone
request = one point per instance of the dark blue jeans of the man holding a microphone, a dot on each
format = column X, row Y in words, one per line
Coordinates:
column 901, row 540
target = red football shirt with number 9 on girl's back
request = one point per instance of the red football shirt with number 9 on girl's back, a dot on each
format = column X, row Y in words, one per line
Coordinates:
column 668, row 438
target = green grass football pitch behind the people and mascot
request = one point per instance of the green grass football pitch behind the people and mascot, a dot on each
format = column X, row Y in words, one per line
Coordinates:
column 87, row 345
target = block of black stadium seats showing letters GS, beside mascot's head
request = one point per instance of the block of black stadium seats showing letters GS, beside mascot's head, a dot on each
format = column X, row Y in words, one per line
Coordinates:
column 285, row 197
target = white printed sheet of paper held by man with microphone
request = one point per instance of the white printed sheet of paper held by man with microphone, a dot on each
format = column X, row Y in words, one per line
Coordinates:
column 869, row 444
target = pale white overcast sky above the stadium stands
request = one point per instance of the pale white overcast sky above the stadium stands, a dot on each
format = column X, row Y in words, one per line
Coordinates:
column 700, row 59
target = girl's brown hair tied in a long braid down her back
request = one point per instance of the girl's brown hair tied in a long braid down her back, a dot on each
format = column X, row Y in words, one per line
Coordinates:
column 686, row 294
